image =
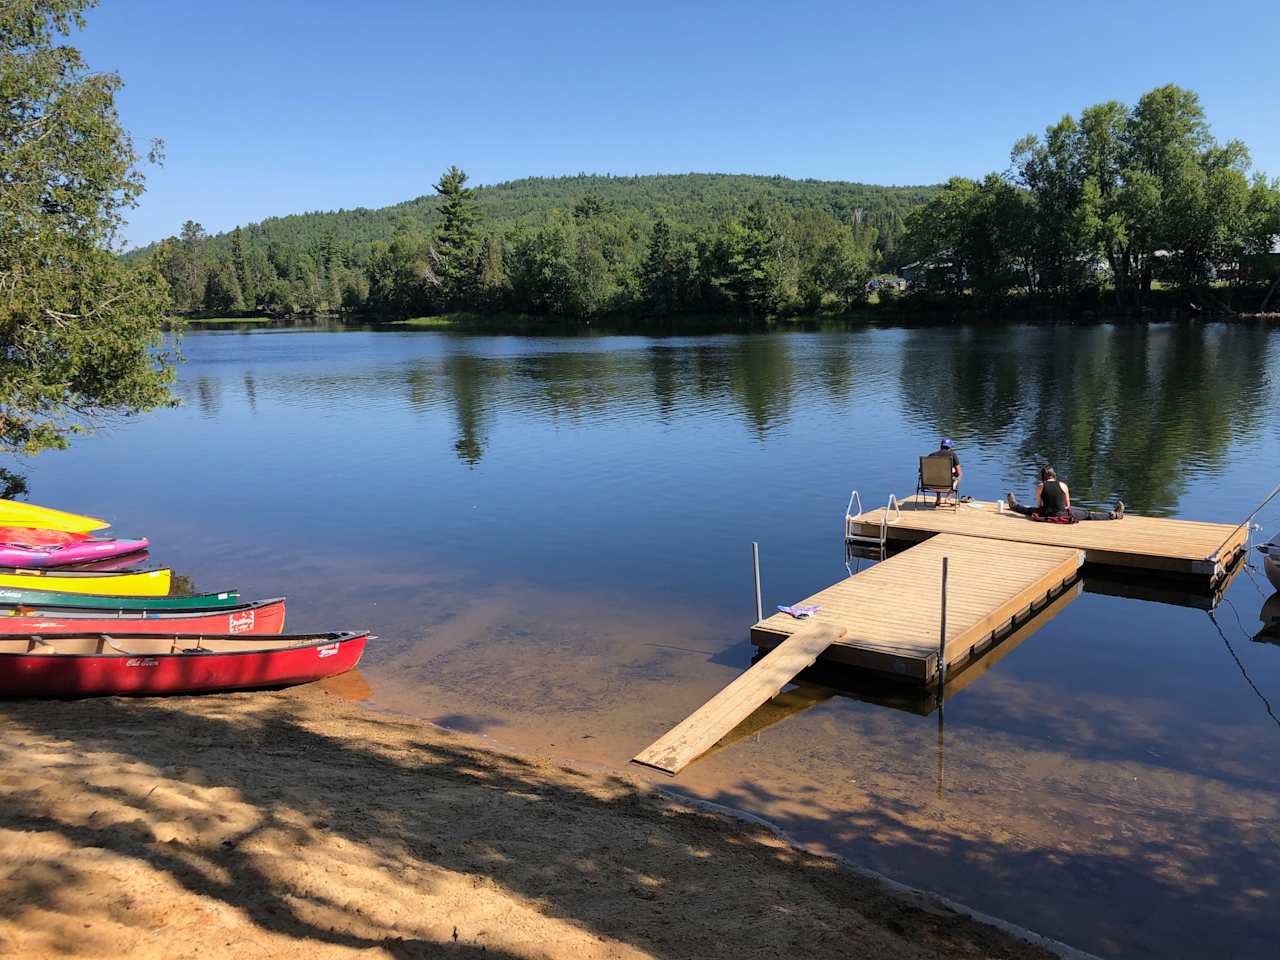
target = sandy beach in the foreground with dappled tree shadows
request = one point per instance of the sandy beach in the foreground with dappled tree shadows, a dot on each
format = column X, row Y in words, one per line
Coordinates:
column 304, row 825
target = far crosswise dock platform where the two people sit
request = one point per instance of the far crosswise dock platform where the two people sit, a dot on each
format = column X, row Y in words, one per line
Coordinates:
column 1159, row 545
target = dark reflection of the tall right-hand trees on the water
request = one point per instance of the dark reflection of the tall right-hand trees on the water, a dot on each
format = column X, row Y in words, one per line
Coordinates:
column 1121, row 412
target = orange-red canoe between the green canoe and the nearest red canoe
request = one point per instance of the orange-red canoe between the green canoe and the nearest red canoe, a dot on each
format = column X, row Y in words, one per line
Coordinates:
column 262, row 618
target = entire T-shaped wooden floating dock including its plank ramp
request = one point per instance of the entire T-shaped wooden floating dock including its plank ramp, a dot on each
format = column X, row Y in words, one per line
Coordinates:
column 908, row 620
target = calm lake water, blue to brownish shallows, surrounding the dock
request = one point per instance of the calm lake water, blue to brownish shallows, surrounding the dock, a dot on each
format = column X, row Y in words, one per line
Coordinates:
column 552, row 540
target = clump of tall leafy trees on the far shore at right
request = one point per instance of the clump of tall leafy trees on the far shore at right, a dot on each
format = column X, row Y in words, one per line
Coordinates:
column 1119, row 198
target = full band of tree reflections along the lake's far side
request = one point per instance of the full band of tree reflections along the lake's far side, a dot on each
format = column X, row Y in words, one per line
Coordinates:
column 1121, row 412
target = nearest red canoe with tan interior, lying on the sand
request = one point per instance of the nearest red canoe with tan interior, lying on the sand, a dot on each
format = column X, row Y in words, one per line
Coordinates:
column 88, row 665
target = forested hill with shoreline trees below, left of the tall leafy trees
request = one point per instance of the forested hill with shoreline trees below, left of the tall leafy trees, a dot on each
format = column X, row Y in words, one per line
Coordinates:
column 568, row 246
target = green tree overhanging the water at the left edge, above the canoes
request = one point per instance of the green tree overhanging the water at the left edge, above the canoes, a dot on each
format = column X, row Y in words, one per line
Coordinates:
column 81, row 332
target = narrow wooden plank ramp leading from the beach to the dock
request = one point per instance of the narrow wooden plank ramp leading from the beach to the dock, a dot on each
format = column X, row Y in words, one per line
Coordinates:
column 702, row 730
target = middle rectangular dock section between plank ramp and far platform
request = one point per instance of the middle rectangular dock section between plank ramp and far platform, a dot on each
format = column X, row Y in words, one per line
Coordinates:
column 892, row 614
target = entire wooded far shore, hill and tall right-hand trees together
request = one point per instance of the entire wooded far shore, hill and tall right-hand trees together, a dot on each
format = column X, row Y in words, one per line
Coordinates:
column 1110, row 208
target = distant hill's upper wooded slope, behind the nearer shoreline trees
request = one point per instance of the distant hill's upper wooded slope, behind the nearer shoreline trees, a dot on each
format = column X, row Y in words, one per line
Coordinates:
column 694, row 199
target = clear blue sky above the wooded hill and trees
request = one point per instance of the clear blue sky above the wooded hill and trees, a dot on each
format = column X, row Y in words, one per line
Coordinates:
column 281, row 107
